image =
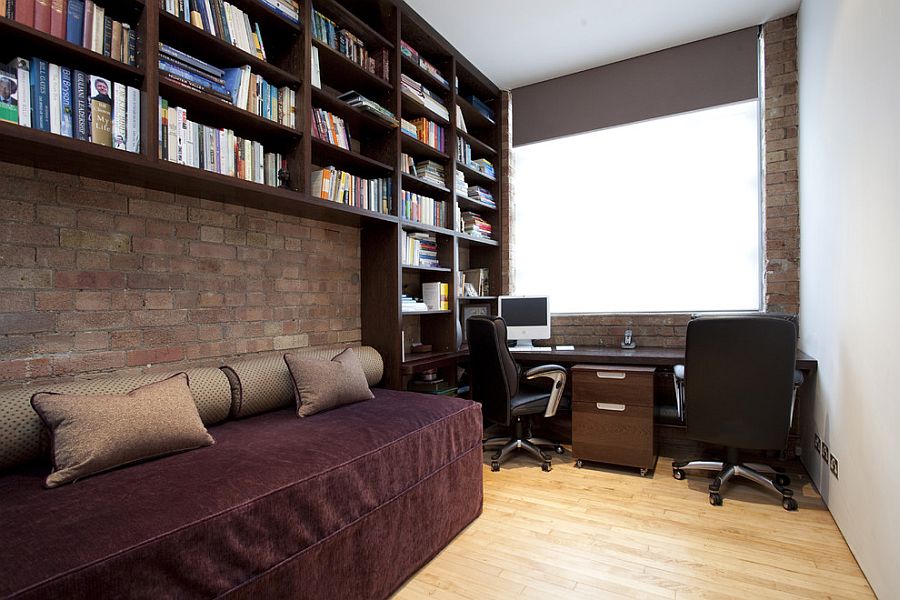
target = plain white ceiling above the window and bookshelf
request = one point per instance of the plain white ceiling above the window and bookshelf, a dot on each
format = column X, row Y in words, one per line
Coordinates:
column 517, row 42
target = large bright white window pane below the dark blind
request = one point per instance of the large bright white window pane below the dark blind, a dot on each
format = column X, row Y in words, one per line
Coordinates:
column 657, row 216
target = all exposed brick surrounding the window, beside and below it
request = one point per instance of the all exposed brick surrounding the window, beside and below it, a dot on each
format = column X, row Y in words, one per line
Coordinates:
column 781, row 248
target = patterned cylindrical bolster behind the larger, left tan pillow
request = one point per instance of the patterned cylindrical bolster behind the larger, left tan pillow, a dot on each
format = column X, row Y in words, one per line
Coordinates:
column 22, row 435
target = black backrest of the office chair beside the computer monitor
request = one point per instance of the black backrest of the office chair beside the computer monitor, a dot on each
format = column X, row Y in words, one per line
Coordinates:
column 494, row 377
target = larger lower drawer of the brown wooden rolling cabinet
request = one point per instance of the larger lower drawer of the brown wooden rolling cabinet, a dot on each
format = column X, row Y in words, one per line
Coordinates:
column 613, row 433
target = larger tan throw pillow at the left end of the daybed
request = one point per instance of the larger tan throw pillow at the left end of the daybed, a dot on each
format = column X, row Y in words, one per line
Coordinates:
column 91, row 434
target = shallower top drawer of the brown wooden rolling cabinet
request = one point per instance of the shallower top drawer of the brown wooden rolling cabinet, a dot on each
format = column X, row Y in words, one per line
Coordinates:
column 632, row 386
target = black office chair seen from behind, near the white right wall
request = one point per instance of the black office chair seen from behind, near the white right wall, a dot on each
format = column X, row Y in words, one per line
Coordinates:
column 738, row 390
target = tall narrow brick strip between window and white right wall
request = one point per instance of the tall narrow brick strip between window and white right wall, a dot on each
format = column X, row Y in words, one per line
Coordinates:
column 782, row 207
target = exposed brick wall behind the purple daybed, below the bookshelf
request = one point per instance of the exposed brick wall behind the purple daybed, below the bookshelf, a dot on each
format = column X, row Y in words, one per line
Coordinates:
column 96, row 276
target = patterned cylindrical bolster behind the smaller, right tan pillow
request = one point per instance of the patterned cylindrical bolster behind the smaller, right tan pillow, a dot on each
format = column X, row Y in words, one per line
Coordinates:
column 263, row 384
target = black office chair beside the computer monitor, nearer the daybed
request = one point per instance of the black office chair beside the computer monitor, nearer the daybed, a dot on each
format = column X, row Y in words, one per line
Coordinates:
column 495, row 383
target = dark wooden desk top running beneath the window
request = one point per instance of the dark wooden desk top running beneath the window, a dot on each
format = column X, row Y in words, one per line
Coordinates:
column 659, row 357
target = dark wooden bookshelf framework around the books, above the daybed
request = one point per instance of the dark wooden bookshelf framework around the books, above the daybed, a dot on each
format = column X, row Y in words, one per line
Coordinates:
column 376, row 151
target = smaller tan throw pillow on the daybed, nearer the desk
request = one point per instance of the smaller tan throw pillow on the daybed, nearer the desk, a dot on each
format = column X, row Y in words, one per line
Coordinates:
column 325, row 384
